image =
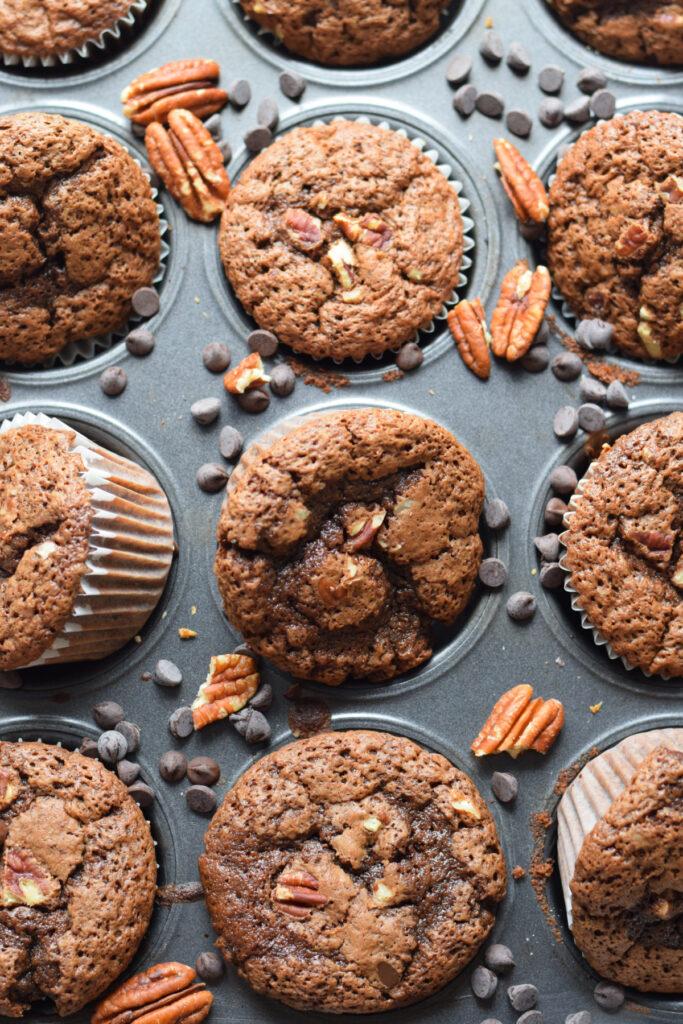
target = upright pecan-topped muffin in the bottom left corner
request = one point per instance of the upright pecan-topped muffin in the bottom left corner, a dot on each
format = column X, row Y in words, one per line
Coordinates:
column 78, row 878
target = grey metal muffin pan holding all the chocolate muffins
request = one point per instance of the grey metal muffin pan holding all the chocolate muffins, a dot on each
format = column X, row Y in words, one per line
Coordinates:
column 506, row 422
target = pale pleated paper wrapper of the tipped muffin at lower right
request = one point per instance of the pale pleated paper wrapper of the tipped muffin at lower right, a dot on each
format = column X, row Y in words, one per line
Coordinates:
column 594, row 791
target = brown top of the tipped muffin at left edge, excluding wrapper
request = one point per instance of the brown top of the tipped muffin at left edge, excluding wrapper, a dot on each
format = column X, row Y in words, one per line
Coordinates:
column 46, row 516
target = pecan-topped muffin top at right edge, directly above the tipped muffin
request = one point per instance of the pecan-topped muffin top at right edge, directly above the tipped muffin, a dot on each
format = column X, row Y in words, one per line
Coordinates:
column 625, row 546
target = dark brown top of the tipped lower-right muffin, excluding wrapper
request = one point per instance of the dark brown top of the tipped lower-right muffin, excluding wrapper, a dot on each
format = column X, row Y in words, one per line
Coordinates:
column 627, row 892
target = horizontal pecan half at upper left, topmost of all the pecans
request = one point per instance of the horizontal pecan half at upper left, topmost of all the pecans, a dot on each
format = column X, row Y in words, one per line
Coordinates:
column 182, row 84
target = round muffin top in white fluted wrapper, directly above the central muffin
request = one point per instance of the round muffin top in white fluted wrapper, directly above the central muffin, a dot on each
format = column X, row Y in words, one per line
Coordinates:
column 343, row 239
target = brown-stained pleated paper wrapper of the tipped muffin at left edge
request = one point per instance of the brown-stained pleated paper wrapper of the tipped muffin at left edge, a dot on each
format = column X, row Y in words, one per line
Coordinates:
column 131, row 550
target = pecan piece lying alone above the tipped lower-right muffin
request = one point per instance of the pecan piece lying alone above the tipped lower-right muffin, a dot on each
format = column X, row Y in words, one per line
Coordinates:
column 518, row 724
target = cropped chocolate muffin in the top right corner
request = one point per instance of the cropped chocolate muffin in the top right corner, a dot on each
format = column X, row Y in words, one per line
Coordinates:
column 637, row 31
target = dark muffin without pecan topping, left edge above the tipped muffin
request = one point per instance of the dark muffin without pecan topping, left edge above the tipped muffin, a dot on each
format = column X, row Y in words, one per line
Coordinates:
column 79, row 234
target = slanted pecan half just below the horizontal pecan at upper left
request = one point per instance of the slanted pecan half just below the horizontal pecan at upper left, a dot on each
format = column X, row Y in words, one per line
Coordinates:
column 190, row 164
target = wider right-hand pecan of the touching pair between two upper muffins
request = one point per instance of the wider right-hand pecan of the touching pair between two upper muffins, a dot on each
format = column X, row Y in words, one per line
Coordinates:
column 521, row 310
